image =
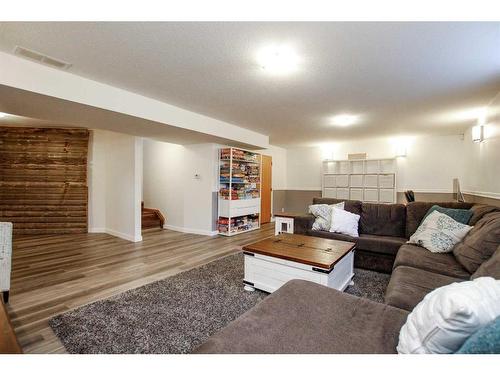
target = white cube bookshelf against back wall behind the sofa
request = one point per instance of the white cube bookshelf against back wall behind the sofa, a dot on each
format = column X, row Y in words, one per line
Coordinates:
column 368, row 180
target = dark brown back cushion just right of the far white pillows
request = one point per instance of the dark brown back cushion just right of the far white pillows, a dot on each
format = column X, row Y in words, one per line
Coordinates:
column 383, row 219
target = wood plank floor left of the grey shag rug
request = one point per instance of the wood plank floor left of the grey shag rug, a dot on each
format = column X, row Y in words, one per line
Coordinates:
column 52, row 274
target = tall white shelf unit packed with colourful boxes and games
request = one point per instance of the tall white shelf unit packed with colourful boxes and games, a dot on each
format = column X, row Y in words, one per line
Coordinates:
column 239, row 191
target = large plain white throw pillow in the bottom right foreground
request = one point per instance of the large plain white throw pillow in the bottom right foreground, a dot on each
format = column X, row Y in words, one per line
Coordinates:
column 447, row 316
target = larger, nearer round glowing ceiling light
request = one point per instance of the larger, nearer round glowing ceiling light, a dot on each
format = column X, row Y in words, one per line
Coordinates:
column 278, row 59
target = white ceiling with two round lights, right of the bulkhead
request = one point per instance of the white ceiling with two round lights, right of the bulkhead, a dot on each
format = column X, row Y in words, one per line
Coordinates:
column 399, row 78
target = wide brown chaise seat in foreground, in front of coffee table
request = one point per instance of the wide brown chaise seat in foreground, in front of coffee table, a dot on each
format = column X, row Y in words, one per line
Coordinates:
column 304, row 317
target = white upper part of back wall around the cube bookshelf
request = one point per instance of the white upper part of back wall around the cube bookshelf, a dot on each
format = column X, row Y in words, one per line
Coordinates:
column 430, row 165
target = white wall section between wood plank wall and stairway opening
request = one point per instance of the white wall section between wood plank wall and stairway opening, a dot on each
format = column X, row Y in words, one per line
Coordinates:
column 115, row 178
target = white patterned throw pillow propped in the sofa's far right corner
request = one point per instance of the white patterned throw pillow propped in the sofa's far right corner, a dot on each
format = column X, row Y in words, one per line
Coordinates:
column 439, row 233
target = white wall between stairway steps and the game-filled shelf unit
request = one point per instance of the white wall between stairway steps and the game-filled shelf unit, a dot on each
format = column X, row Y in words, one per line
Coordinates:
column 171, row 186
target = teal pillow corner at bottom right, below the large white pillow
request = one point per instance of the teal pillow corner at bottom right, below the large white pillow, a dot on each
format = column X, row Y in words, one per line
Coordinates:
column 485, row 341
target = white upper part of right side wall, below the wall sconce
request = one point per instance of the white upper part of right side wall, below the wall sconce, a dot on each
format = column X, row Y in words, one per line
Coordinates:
column 482, row 175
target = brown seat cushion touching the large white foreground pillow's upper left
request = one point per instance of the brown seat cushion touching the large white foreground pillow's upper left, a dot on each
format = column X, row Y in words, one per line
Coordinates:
column 408, row 286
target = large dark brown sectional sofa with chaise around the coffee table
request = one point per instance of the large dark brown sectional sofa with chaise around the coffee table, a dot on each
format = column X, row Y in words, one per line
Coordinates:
column 302, row 317
